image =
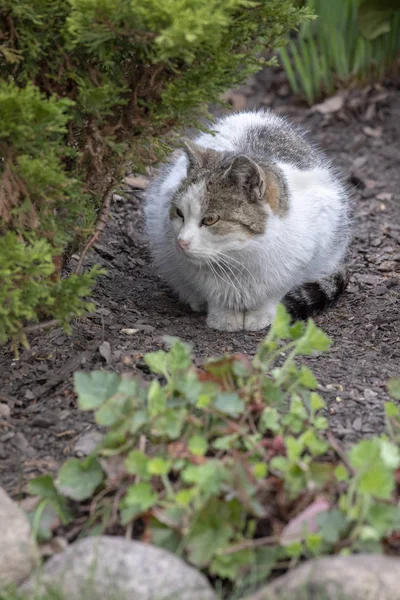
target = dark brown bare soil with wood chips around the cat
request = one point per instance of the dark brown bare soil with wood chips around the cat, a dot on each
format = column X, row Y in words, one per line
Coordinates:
column 364, row 142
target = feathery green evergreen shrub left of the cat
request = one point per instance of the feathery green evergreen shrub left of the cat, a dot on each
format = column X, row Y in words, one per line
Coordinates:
column 88, row 86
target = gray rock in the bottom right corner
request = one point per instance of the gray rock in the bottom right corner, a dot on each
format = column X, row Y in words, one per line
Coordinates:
column 359, row 577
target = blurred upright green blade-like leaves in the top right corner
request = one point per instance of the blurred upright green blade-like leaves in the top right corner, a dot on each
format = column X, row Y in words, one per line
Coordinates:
column 349, row 41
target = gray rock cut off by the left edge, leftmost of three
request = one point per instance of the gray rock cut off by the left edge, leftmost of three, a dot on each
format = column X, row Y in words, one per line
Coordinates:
column 18, row 552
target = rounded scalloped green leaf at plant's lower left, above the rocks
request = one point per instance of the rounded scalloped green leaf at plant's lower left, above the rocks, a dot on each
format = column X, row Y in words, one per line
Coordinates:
column 78, row 479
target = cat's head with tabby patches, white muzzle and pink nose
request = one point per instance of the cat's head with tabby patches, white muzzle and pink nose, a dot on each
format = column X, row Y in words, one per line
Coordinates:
column 223, row 203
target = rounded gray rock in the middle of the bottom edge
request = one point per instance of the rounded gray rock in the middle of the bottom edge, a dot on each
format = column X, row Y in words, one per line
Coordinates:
column 107, row 568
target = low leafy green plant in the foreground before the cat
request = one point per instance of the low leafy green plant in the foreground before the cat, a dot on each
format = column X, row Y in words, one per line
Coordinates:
column 208, row 459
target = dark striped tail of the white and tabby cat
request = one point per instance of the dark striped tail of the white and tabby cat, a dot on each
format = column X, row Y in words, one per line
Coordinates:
column 310, row 299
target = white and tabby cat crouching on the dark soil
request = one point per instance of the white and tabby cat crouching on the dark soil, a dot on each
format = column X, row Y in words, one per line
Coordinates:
column 250, row 214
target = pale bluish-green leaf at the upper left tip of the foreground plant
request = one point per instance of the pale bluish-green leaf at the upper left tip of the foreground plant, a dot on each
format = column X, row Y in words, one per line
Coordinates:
column 95, row 388
